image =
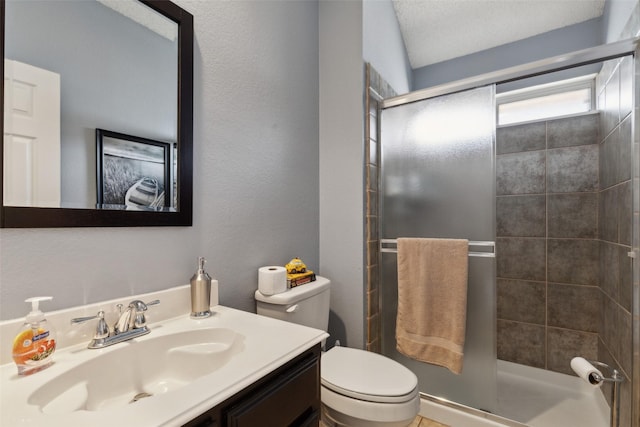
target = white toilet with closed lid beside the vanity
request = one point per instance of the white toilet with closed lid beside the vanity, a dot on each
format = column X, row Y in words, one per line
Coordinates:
column 358, row 388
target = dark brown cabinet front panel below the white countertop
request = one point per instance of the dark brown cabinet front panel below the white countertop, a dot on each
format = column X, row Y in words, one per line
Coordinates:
column 291, row 399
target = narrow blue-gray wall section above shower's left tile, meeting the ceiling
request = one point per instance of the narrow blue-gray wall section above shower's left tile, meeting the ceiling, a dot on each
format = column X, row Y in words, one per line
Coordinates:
column 383, row 45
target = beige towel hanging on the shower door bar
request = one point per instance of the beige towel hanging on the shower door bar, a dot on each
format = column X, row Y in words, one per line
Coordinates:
column 432, row 300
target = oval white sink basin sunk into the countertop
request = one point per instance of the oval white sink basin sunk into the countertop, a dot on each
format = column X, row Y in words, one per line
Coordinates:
column 138, row 369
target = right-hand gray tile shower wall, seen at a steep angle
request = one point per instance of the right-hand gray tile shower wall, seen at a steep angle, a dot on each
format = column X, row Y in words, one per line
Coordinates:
column 615, row 100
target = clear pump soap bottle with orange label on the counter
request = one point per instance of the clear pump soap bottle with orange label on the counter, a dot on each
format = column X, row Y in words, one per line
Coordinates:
column 35, row 343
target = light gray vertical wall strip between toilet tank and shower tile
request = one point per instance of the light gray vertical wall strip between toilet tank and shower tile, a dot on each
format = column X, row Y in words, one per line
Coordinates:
column 341, row 166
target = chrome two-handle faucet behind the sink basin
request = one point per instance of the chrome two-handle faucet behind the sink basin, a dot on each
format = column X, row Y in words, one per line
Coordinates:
column 131, row 324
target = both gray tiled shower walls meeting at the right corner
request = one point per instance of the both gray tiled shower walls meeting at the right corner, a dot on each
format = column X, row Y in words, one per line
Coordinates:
column 564, row 228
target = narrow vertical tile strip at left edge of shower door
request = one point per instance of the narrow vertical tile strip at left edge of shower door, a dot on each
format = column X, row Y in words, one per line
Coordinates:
column 376, row 89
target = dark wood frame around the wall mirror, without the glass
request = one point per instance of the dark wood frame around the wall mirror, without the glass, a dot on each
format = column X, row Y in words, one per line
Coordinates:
column 32, row 217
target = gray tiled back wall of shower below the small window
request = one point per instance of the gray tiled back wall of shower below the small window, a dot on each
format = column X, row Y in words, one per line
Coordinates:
column 547, row 176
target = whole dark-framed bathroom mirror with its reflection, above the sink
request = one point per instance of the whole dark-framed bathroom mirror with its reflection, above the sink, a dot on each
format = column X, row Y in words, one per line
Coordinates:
column 105, row 67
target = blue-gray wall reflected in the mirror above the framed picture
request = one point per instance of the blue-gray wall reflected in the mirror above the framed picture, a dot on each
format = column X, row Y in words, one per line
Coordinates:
column 98, row 71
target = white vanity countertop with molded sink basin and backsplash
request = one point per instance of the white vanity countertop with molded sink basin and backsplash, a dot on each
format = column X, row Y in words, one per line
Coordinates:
column 188, row 366
